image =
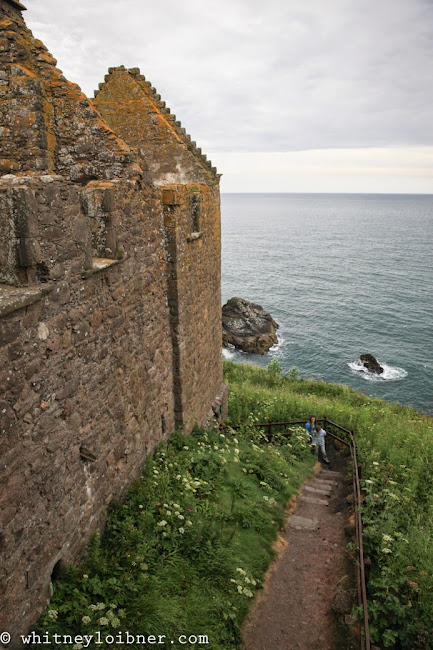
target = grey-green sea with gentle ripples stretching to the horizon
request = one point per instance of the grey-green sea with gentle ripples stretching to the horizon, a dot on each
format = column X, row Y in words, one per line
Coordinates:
column 343, row 275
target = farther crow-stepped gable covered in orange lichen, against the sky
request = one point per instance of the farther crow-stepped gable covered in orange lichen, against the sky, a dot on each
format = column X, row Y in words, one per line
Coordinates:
column 133, row 108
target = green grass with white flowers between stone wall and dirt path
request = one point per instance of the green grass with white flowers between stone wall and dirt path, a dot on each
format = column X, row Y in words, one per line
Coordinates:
column 186, row 550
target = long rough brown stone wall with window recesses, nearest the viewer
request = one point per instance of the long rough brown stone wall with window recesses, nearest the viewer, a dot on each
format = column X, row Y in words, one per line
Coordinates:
column 85, row 380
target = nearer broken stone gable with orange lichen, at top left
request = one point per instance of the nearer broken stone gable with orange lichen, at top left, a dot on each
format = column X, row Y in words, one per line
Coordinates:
column 48, row 124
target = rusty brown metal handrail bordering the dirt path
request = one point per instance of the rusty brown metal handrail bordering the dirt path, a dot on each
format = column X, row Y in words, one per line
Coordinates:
column 362, row 588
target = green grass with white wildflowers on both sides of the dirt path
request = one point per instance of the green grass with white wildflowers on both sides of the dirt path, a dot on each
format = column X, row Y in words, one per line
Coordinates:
column 223, row 499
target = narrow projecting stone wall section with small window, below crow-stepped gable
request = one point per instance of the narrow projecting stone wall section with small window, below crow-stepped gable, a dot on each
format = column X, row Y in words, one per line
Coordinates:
column 194, row 296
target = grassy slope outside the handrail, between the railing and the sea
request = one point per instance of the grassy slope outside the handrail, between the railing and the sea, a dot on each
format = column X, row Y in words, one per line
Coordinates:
column 396, row 452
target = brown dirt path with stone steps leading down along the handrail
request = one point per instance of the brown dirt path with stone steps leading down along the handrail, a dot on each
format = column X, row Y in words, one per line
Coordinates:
column 312, row 577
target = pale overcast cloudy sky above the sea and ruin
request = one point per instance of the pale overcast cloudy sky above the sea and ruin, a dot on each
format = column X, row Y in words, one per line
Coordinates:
column 282, row 95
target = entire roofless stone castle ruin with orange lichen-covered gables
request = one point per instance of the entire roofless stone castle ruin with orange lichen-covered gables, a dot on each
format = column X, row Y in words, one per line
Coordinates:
column 110, row 315
